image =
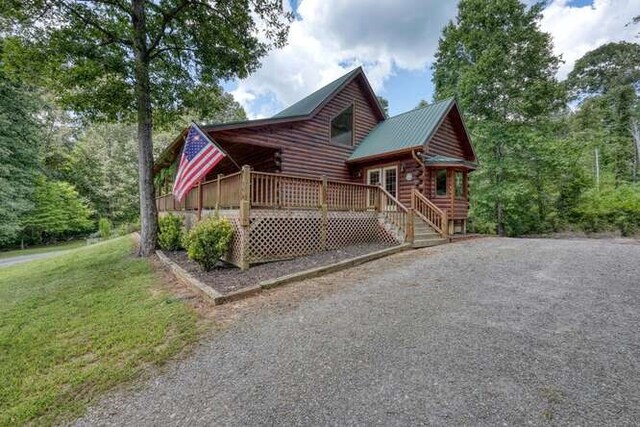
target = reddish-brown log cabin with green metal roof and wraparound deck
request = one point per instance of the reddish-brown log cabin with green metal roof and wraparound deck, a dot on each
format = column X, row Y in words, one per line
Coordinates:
column 330, row 171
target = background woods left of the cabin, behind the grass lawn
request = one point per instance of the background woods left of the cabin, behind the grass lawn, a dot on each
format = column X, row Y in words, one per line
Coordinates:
column 62, row 173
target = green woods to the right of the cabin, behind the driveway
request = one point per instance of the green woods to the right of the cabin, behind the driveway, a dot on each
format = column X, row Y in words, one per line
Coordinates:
column 554, row 156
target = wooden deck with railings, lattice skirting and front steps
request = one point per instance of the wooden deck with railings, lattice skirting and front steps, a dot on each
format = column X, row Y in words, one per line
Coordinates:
column 278, row 216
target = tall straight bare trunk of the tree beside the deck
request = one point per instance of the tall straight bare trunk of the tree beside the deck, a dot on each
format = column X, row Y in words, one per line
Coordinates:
column 148, row 212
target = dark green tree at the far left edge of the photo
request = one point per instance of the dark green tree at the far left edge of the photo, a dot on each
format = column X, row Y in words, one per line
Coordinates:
column 19, row 150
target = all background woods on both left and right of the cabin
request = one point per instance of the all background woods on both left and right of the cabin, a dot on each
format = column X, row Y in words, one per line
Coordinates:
column 553, row 155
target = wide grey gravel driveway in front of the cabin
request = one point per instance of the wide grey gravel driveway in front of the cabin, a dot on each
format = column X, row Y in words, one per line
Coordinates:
column 482, row 332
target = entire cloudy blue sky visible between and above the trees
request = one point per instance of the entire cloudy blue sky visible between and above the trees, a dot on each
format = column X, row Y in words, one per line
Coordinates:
column 395, row 42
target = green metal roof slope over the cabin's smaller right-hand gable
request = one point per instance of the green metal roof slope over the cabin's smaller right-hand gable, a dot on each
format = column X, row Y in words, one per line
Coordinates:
column 404, row 131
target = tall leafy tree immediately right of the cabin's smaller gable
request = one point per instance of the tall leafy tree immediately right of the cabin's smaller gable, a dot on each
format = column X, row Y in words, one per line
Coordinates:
column 500, row 66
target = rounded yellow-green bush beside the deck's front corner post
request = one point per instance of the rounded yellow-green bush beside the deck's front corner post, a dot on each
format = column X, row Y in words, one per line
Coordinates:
column 208, row 241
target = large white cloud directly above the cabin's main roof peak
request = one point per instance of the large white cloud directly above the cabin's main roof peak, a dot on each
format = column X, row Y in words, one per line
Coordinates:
column 334, row 36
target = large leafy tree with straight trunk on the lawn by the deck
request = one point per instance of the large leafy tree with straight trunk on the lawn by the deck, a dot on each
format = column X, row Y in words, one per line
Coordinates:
column 117, row 59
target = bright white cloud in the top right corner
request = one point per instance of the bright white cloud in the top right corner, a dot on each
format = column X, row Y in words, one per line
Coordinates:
column 577, row 30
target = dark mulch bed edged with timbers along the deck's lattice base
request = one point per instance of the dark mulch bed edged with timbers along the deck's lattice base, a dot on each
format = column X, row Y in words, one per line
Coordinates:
column 227, row 278
